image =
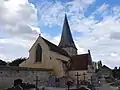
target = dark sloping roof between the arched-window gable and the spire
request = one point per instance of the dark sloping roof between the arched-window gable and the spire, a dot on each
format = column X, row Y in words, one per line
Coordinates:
column 55, row 48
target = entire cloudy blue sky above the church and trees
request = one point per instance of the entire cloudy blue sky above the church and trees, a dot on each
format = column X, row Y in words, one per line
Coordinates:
column 94, row 25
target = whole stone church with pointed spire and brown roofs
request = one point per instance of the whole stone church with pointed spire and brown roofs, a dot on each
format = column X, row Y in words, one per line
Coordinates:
column 63, row 59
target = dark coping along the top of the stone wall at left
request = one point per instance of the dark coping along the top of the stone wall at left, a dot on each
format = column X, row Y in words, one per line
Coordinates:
column 2, row 68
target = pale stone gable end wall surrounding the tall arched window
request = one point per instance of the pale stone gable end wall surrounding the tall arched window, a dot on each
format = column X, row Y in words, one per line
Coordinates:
column 30, row 62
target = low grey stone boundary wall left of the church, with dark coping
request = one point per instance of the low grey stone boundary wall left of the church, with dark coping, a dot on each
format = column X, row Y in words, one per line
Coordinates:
column 8, row 75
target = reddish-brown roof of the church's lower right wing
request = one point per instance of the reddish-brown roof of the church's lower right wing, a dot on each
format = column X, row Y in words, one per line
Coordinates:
column 81, row 62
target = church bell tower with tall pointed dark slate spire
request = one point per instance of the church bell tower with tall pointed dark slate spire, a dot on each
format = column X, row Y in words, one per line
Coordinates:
column 66, row 41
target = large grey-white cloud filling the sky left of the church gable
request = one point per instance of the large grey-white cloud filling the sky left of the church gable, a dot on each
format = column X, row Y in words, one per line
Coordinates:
column 17, row 28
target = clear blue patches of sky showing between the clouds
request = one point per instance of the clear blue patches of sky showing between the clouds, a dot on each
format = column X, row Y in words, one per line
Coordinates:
column 87, row 12
